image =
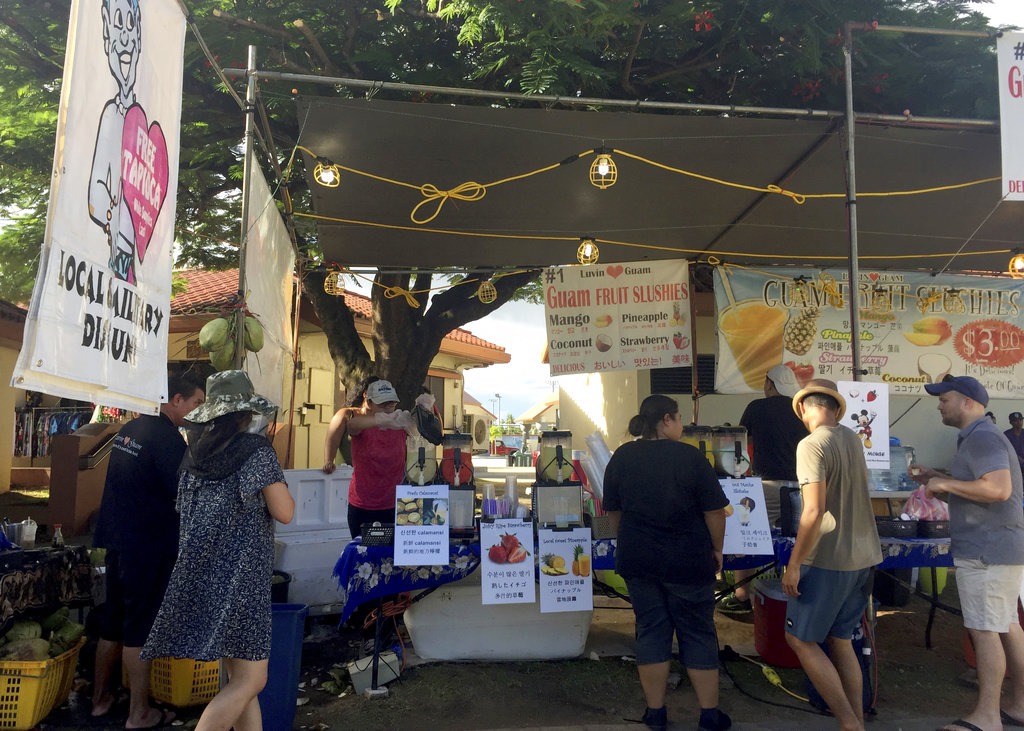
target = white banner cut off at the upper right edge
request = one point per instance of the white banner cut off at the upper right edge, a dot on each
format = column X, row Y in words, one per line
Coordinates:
column 1010, row 51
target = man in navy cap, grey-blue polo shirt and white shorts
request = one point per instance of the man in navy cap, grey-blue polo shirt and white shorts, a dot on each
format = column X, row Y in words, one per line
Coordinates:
column 987, row 528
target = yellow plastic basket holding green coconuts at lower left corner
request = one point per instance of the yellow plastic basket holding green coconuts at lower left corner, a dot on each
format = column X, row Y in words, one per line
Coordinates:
column 31, row 690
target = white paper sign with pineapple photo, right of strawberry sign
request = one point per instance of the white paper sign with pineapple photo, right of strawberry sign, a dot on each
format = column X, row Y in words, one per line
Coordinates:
column 567, row 586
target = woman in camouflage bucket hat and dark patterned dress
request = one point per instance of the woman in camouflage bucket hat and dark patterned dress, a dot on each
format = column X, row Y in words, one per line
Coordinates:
column 231, row 491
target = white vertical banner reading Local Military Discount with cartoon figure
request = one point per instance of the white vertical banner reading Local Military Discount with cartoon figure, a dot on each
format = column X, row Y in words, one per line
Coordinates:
column 98, row 324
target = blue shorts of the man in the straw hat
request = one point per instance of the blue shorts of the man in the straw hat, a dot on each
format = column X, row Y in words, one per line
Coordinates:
column 831, row 605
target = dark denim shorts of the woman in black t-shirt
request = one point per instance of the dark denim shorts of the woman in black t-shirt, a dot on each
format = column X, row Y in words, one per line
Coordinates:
column 688, row 611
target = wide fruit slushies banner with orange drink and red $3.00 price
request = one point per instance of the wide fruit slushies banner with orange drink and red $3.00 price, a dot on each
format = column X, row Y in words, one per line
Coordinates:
column 915, row 329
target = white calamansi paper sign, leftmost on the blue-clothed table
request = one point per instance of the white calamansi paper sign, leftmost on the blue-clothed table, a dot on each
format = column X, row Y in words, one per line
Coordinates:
column 421, row 526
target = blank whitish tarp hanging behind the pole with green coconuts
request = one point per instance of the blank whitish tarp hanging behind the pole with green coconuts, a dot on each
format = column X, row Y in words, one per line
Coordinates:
column 270, row 272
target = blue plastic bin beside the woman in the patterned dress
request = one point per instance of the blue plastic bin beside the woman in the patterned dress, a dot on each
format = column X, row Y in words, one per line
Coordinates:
column 277, row 701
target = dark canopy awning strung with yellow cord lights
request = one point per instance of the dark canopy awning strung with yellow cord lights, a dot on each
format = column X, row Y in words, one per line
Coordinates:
column 663, row 214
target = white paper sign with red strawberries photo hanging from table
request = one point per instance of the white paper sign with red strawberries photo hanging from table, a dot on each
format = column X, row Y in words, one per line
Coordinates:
column 507, row 563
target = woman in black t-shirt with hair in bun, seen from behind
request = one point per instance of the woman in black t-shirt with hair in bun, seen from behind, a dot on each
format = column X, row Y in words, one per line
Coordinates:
column 669, row 513
